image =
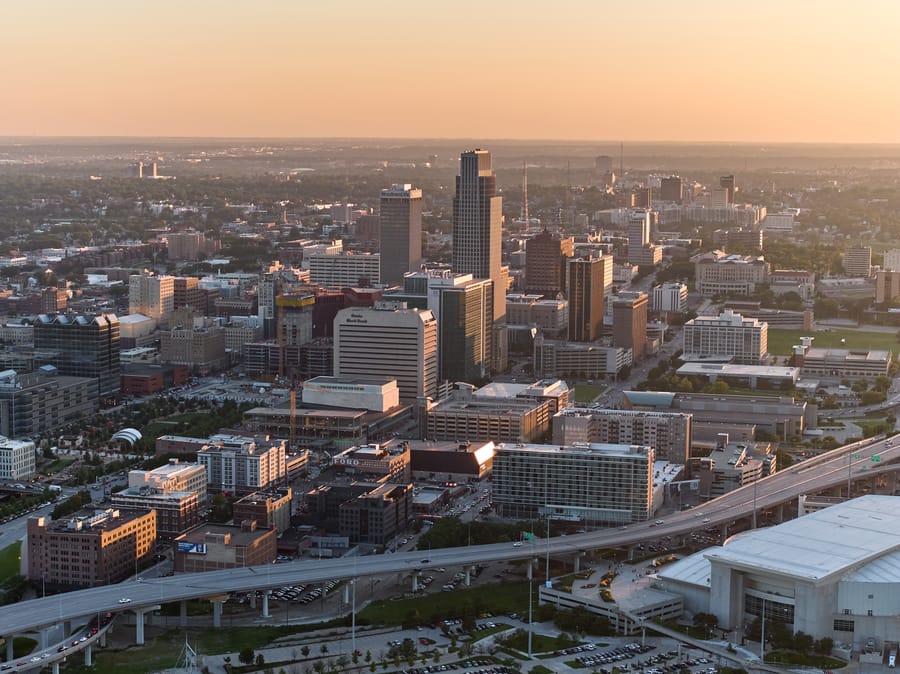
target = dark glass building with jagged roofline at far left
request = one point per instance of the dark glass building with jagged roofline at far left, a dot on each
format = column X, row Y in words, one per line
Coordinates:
column 81, row 346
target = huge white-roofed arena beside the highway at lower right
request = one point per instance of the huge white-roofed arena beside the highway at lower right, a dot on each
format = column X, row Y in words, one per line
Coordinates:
column 834, row 575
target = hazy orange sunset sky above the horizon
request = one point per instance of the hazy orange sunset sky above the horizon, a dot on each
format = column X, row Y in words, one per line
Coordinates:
column 653, row 70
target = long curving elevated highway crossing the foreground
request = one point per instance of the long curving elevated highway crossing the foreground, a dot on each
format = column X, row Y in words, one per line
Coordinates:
column 818, row 473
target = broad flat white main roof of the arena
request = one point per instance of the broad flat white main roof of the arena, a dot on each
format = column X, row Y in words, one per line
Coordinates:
column 836, row 540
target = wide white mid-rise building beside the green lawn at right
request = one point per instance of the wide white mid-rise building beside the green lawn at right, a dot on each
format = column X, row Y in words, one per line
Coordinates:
column 728, row 337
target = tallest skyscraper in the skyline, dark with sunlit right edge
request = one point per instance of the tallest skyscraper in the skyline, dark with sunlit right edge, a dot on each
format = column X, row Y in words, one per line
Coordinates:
column 477, row 214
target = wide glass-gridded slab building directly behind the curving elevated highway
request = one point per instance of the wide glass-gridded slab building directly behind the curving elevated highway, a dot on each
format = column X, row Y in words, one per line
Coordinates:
column 598, row 483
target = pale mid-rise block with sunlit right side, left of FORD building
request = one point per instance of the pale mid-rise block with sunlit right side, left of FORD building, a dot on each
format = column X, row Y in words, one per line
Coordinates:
column 243, row 465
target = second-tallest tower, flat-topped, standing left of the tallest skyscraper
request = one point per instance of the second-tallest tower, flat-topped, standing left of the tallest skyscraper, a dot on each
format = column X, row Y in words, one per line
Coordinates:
column 401, row 232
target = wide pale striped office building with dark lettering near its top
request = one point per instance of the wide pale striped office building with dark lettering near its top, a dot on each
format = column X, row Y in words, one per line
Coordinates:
column 389, row 340
